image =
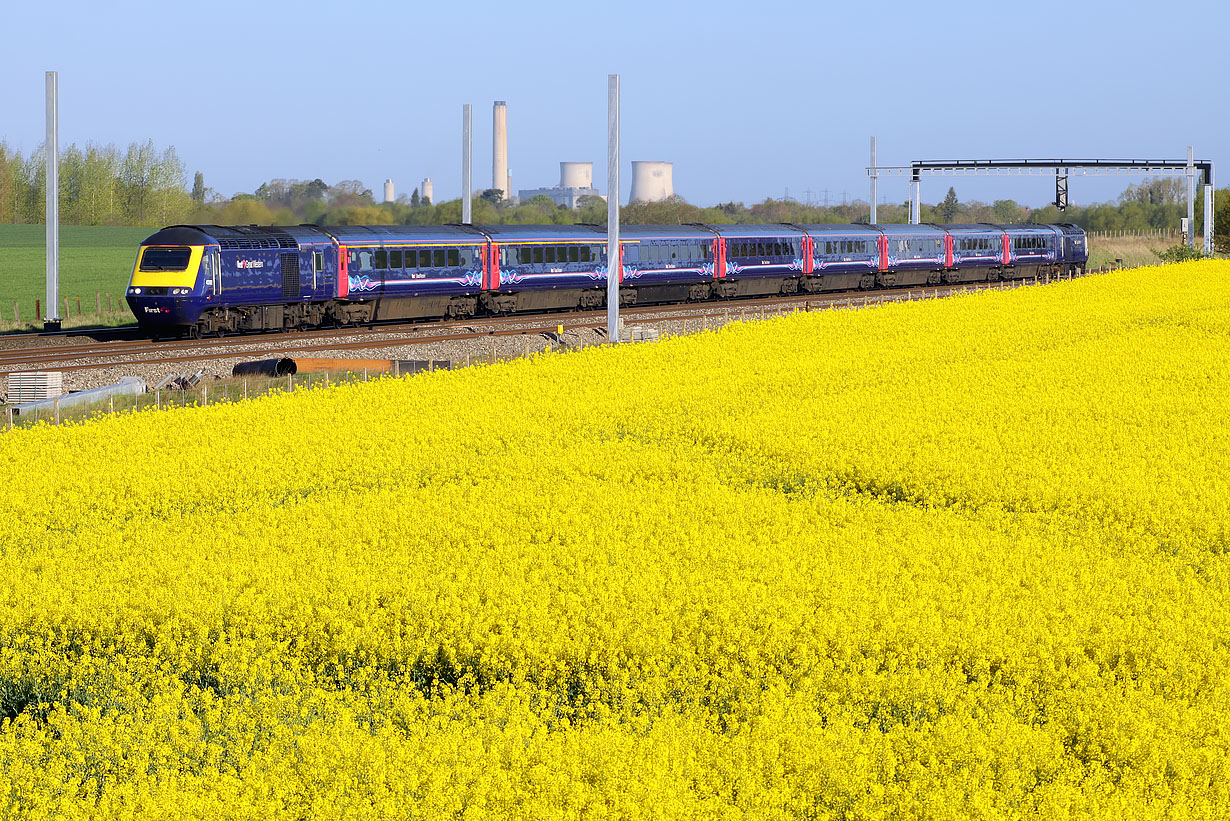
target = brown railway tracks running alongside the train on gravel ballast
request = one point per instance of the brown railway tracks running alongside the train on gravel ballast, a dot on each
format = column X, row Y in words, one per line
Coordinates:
column 97, row 354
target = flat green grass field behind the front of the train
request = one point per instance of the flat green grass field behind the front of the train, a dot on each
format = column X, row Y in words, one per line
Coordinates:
column 94, row 260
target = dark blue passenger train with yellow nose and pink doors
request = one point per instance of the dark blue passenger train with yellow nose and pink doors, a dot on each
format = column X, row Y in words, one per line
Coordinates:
column 216, row 280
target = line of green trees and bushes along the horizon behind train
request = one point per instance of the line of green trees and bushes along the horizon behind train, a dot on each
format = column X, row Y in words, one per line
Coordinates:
column 147, row 186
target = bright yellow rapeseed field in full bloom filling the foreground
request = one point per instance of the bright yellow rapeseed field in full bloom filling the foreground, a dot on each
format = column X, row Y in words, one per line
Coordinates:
column 955, row 559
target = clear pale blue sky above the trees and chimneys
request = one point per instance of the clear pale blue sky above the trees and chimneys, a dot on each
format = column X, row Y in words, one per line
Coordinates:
column 747, row 100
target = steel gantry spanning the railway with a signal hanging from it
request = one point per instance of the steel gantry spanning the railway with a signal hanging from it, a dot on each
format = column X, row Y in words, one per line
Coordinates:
column 1061, row 169
